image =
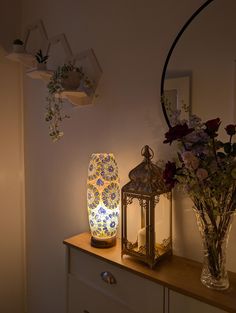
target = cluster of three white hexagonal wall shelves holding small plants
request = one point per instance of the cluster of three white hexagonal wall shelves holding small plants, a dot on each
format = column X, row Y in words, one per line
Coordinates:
column 85, row 59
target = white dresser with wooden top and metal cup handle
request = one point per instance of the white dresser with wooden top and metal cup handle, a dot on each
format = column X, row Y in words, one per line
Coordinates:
column 100, row 281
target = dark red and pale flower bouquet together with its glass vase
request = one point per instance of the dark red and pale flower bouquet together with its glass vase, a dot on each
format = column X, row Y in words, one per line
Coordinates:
column 205, row 168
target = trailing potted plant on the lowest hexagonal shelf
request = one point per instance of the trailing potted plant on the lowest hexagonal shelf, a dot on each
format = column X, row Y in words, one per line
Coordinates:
column 66, row 78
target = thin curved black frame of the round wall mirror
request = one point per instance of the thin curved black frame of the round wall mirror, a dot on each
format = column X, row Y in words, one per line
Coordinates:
column 195, row 14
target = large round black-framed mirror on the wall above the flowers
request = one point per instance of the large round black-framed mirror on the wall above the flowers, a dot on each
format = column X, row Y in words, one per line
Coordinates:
column 200, row 67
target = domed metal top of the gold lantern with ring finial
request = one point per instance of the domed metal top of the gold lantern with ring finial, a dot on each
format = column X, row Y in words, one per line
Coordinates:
column 146, row 178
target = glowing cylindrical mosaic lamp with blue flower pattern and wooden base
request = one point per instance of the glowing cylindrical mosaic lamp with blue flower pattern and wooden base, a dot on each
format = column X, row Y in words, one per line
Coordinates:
column 103, row 198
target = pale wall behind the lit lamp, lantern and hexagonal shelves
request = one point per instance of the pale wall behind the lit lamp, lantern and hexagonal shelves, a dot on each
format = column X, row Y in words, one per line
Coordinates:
column 131, row 40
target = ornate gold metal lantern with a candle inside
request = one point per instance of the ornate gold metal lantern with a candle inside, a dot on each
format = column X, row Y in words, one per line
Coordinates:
column 146, row 213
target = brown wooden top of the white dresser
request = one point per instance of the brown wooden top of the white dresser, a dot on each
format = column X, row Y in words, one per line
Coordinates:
column 177, row 273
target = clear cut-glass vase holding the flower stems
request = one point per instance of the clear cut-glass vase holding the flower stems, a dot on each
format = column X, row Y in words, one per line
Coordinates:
column 214, row 230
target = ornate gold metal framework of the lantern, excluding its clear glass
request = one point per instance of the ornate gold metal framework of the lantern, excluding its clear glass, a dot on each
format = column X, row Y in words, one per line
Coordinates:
column 146, row 185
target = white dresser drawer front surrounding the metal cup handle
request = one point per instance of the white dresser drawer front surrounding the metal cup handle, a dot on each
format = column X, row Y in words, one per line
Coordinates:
column 140, row 295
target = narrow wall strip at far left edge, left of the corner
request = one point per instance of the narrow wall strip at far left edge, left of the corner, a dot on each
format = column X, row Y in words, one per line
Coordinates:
column 12, row 277
